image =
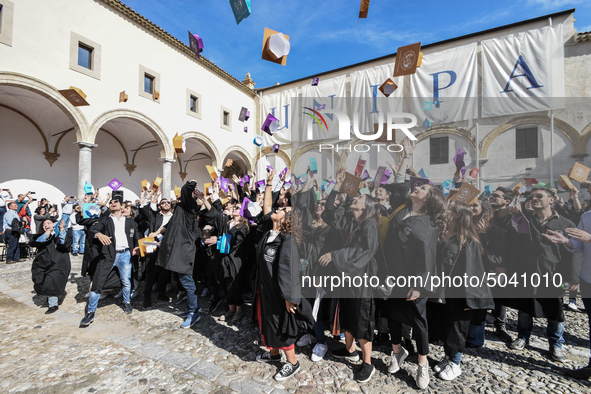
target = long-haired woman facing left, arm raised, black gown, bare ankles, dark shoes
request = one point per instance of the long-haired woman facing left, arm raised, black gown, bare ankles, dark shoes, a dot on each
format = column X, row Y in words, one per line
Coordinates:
column 357, row 225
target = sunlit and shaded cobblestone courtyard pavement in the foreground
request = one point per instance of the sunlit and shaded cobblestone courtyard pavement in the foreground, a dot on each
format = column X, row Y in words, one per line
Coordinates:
column 148, row 352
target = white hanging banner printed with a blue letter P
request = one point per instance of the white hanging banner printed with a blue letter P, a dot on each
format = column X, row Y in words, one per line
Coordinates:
column 445, row 87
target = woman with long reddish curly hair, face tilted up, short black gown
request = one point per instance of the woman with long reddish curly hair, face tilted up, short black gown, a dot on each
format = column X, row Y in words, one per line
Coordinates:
column 410, row 250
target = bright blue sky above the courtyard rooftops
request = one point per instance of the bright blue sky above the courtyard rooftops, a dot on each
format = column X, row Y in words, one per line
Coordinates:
column 325, row 35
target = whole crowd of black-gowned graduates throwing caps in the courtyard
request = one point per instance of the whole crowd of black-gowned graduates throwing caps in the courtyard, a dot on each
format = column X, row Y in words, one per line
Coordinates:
column 239, row 237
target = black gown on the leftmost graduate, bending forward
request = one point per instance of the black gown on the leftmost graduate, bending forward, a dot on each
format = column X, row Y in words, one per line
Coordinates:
column 51, row 267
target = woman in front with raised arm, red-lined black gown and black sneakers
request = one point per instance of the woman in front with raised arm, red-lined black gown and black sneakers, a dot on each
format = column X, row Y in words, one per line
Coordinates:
column 278, row 306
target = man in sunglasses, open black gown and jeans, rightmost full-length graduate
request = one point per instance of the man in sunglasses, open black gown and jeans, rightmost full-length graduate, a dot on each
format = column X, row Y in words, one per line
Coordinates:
column 533, row 254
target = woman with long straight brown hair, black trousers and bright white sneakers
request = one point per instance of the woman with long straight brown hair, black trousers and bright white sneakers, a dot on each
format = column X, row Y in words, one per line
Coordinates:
column 460, row 255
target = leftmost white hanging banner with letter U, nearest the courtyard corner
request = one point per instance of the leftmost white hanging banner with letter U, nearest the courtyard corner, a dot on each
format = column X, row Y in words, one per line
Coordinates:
column 278, row 104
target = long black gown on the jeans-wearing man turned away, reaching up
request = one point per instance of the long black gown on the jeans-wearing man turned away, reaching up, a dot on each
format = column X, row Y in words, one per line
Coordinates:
column 178, row 247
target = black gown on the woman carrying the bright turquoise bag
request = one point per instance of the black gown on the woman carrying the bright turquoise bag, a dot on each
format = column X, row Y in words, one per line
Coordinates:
column 229, row 266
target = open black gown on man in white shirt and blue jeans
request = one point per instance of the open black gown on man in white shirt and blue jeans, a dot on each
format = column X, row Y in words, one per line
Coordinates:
column 105, row 277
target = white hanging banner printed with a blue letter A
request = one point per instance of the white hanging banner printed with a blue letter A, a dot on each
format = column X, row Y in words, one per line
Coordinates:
column 523, row 72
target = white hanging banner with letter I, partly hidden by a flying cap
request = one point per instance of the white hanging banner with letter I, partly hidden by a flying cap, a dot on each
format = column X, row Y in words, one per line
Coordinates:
column 368, row 102
